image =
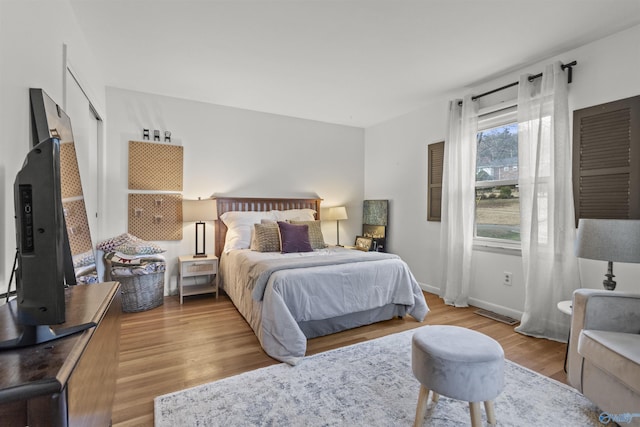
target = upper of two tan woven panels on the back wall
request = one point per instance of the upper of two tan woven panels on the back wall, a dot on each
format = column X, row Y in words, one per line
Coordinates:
column 154, row 166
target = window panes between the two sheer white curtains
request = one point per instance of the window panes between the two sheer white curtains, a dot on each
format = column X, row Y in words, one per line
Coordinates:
column 497, row 195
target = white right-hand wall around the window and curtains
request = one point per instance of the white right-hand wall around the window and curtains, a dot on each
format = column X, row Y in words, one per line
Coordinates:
column 396, row 155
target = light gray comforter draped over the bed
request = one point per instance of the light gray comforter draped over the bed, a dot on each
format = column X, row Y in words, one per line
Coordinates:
column 275, row 292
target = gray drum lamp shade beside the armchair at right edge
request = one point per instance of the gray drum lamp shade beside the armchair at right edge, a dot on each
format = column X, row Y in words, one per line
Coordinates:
column 609, row 240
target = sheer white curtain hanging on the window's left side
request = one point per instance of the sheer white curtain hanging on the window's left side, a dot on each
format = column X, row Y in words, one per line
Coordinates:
column 458, row 197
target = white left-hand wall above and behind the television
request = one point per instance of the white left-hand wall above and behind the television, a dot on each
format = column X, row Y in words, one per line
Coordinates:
column 32, row 35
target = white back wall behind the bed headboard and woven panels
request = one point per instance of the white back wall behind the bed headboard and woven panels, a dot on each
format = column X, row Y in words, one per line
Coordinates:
column 230, row 151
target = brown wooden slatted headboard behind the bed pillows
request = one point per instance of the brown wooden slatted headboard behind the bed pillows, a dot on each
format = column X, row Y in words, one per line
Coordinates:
column 251, row 204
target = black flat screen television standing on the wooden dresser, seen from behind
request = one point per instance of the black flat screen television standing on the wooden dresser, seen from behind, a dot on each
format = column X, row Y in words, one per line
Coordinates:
column 40, row 237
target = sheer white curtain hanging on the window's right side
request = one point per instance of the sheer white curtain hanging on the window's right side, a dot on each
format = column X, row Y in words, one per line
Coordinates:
column 546, row 203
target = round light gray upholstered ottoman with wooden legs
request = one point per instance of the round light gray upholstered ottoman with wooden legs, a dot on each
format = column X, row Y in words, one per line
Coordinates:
column 458, row 363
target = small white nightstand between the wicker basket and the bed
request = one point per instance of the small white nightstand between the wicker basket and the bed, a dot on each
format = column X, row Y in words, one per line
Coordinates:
column 197, row 267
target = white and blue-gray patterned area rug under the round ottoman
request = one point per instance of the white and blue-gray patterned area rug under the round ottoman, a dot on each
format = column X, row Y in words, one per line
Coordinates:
column 366, row 384
